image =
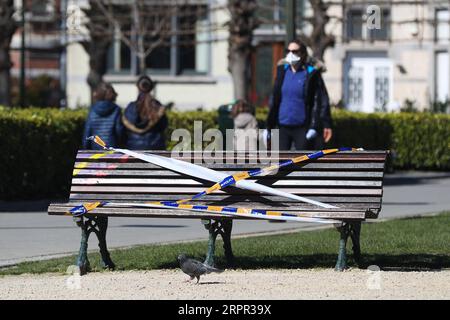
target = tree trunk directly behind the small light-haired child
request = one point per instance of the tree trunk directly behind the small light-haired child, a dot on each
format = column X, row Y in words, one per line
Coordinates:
column 241, row 25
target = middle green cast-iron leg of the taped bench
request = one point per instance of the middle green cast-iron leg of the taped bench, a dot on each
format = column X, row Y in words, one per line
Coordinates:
column 222, row 227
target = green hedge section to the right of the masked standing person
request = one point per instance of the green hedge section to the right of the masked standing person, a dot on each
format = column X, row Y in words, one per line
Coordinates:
column 417, row 140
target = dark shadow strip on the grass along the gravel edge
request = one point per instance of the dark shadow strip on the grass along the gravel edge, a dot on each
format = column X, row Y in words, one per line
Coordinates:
column 386, row 262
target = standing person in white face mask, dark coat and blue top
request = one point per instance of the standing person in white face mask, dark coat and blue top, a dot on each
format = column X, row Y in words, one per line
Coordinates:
column 299, row 107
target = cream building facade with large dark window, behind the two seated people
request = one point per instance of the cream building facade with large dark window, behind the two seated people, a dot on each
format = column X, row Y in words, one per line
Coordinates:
column 190, row 73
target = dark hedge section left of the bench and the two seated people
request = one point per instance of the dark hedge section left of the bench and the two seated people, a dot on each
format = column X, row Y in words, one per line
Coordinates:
column 38, row 148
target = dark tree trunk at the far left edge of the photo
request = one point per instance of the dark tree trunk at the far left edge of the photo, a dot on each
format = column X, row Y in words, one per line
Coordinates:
column 8, row 26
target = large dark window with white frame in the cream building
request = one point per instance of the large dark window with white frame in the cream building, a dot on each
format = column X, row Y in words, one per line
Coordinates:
column 184, row 51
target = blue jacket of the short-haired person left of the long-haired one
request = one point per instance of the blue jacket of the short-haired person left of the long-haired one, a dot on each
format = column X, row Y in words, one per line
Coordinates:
column 103, row 120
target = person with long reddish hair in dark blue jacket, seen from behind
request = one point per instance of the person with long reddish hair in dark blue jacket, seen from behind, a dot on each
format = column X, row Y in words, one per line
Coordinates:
column 145, row 120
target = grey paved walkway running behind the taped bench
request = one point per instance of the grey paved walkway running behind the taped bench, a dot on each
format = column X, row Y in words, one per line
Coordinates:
column 28, row 233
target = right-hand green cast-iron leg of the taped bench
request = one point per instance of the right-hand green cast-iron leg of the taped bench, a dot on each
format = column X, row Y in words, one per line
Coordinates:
column 352, row 229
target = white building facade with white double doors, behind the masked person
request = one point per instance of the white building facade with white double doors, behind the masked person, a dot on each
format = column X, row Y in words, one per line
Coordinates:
column 374, row 65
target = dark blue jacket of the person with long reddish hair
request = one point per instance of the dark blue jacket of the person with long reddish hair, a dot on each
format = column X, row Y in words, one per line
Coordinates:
column 139, row 135
